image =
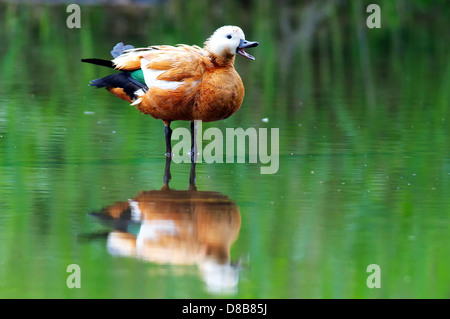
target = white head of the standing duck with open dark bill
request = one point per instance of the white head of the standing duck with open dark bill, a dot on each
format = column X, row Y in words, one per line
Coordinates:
column 227, row 41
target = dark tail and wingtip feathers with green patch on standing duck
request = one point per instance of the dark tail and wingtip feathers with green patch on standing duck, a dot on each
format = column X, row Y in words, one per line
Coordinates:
column 126, row 85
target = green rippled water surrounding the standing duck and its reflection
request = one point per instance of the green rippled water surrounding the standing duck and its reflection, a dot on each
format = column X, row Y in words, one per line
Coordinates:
column 364, row 164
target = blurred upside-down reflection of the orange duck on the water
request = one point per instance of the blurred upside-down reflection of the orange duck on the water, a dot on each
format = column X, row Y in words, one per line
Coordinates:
column 179, row 228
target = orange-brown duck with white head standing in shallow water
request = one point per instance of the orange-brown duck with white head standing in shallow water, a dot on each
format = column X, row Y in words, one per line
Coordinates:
column 180, row 82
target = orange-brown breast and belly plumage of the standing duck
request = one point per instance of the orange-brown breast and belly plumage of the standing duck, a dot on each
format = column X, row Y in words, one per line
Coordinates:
column 210, row 95
